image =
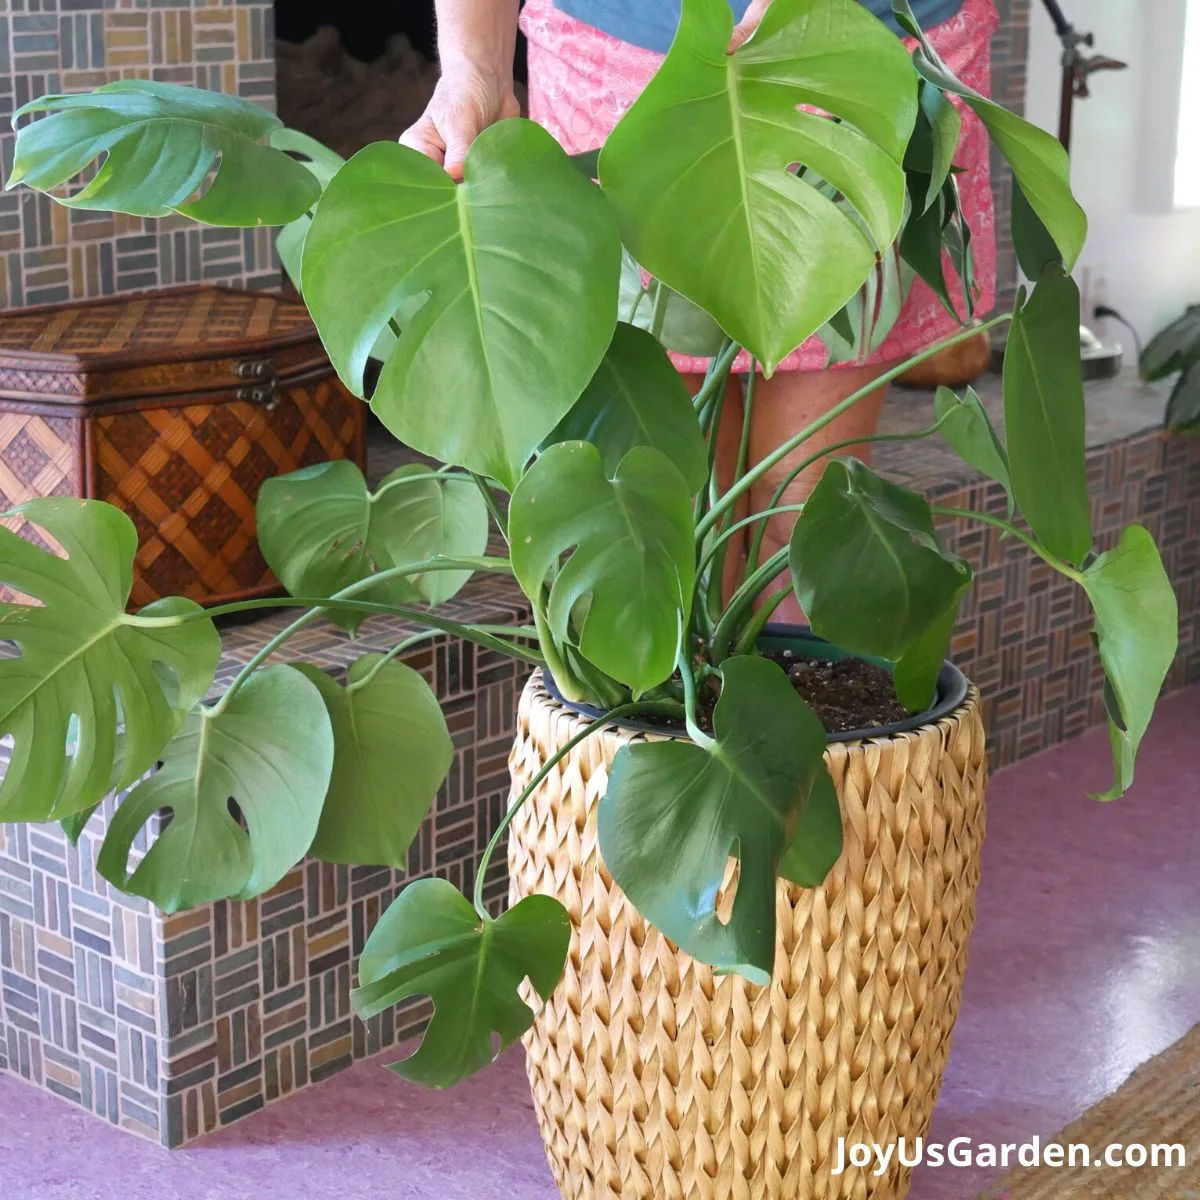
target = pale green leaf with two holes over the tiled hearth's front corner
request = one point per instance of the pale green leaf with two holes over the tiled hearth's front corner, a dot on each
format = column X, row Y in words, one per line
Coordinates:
column 271, row 753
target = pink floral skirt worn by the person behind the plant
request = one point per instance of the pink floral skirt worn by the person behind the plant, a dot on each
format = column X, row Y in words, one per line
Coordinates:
column 583, row 81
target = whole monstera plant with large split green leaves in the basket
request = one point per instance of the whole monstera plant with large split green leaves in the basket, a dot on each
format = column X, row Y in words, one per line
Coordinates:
column 523, row 320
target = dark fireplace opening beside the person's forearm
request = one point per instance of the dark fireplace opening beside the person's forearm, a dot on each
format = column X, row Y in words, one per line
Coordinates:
column 356, row 71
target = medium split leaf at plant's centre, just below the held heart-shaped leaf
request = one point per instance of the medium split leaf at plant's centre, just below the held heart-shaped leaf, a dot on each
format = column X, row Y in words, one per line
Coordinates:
column 632, row 567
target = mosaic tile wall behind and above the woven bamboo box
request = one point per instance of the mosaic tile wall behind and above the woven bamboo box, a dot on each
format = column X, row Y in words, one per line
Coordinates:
column 50, row 254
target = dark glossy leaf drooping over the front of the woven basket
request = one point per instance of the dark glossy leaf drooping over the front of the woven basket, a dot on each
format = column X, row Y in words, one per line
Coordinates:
column 675, row 813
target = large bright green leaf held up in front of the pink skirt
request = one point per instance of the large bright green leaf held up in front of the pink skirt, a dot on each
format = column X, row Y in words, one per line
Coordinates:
column 699, row 169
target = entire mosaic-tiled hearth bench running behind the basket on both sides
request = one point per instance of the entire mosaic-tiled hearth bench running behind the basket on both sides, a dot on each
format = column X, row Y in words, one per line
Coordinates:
column 173, row 1027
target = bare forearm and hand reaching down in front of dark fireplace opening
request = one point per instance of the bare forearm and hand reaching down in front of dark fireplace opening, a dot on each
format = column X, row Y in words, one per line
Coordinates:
column 476, row 45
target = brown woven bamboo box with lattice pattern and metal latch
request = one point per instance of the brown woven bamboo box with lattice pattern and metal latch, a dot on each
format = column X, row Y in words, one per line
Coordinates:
column 176, row 406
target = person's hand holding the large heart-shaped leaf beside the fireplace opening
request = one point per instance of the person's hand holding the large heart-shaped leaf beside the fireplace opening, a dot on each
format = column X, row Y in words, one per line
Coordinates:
column 465, row 103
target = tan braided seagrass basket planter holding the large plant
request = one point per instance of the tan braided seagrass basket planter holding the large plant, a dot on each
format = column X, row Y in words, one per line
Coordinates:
column 656, row 1081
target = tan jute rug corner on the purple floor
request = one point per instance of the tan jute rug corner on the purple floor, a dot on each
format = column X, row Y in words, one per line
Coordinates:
column 1159, row 1106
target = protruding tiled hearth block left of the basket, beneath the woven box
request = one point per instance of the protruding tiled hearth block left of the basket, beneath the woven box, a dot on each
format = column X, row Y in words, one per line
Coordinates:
column 172, row 1027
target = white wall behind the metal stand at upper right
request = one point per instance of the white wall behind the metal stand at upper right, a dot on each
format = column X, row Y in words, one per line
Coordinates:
column 1143, row 262
